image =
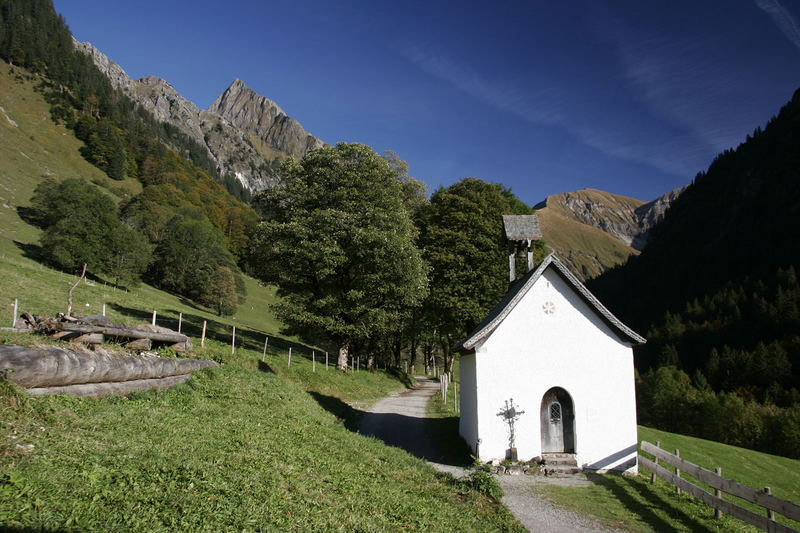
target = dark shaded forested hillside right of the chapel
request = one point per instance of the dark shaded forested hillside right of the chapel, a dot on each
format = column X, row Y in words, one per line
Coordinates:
column 716, row 292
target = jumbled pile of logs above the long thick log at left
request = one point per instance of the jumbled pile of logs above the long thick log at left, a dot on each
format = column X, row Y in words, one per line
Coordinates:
column 97, row 329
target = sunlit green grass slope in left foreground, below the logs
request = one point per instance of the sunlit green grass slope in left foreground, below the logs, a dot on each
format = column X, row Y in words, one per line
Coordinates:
column 232, row 449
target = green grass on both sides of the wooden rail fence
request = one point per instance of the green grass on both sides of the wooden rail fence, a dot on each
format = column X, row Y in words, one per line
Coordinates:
column 633, row 503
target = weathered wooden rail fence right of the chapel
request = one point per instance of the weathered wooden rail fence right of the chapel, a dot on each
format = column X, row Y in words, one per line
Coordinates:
column 715, row 480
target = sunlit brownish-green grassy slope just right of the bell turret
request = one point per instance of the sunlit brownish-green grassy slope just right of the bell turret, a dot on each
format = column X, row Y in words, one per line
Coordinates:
column 588, row 251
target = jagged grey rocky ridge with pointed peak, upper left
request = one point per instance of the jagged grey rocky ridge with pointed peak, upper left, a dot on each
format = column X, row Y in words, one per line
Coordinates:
column 246, row 134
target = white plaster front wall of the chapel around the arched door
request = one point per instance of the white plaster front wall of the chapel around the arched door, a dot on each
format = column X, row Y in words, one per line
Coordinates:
column 572, row 348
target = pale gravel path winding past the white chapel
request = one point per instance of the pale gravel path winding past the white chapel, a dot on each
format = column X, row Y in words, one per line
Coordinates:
column 399, row 420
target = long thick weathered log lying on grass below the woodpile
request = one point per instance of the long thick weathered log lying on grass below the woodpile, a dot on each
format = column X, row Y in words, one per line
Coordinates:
column 50, row 366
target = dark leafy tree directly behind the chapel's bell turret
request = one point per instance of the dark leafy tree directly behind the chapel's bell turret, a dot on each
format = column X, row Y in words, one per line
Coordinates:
column 462, row 238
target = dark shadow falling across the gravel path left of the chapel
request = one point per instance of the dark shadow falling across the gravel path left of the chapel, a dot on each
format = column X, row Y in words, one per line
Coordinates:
column 431, row 439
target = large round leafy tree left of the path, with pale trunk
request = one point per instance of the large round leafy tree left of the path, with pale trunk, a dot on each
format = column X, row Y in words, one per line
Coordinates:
column 340, row 245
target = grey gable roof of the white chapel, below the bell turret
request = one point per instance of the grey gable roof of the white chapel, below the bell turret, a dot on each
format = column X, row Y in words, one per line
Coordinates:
column 522, row 286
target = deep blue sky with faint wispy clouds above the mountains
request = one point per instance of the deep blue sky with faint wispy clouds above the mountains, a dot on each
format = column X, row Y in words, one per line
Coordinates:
column 629, row 97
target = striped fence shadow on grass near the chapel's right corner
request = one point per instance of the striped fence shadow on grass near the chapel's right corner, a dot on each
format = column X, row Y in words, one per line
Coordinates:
column 639, row 497
